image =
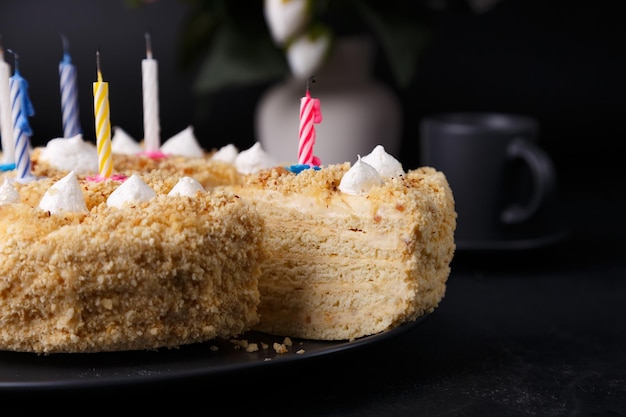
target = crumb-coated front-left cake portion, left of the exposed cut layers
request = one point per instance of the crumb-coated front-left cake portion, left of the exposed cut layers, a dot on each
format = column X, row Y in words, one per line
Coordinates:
column 148, row 262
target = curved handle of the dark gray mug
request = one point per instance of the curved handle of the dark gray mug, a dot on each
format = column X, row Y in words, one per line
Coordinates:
column 543, row 180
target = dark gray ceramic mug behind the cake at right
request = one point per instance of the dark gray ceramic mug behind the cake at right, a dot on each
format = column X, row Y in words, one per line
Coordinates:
column 503, row 182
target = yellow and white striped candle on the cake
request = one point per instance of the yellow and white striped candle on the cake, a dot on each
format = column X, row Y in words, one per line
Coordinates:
column 103, row 124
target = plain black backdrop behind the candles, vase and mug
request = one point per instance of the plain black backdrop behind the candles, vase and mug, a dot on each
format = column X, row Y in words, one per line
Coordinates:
column 560, row 61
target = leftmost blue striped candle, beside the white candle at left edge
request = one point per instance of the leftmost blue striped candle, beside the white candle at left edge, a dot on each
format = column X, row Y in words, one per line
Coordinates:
column 21, row 110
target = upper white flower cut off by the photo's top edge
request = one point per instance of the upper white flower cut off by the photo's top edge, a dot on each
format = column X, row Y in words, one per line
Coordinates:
column 286, row 18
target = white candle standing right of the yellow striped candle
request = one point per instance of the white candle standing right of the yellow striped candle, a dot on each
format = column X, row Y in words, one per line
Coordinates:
column 151, row 127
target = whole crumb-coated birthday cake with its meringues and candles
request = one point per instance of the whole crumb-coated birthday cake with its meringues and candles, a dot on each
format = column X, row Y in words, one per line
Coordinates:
column 121, row 245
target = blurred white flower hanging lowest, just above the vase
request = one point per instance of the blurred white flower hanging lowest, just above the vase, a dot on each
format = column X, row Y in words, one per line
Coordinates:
column 307, row 53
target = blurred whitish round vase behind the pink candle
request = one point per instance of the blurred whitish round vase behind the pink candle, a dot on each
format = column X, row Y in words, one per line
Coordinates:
column 358, row 112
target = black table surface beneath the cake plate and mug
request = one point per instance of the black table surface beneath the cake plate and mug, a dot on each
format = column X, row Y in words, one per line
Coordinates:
column 539, row 332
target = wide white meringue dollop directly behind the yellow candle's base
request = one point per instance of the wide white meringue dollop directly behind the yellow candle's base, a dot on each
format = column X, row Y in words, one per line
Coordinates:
column 71, row 154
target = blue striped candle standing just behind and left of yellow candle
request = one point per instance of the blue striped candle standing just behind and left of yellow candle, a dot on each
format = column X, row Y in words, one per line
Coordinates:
column 69, row 94
